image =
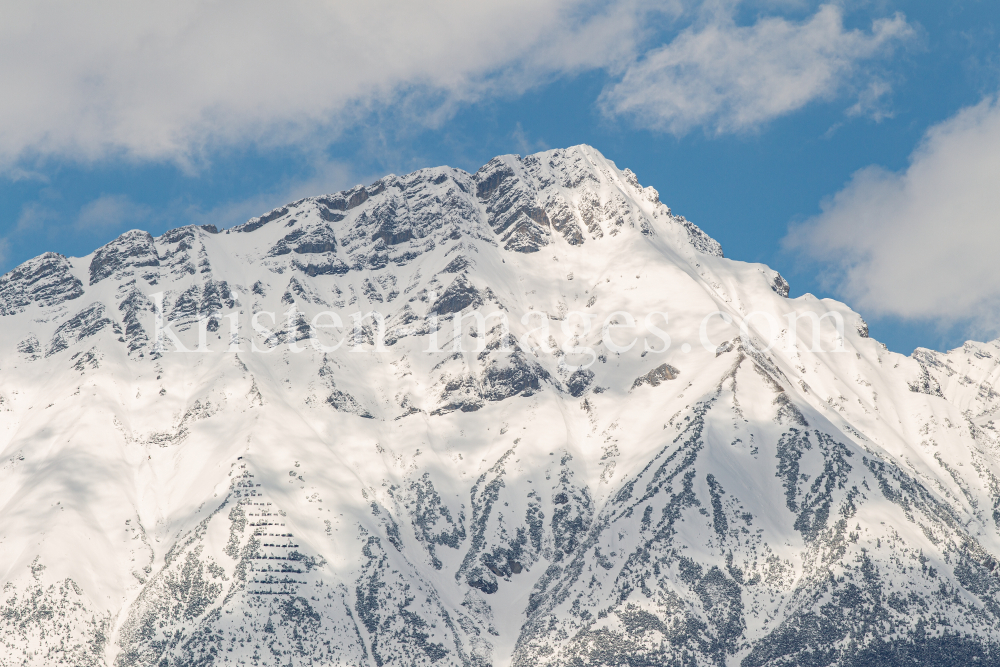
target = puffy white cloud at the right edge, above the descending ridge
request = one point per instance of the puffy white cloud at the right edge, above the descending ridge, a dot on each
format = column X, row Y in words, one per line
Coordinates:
column 922, row 243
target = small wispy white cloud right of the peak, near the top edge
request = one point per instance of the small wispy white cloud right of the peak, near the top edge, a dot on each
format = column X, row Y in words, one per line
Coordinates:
column 735, row 78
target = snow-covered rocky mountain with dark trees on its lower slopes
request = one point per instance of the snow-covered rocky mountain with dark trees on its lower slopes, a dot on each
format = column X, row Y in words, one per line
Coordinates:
column 545, row 495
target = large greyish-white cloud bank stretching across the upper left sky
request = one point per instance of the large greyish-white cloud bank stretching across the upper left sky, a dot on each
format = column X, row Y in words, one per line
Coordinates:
column 168, row 80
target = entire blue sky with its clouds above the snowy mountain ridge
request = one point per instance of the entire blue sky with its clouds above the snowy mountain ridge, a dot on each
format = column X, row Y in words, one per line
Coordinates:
column 853, row 146
